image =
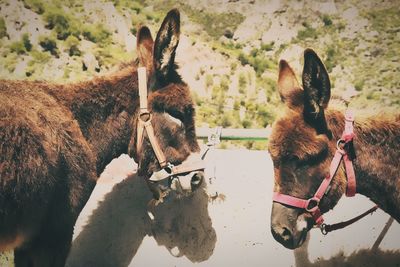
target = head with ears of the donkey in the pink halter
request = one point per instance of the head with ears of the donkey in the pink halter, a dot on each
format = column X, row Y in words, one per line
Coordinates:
column 301, row 149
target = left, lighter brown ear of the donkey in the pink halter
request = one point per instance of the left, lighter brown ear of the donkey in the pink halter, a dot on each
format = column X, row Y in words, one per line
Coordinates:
column 289, row 89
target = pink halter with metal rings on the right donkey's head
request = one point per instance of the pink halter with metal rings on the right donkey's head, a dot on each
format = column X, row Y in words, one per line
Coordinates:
column 311, row 205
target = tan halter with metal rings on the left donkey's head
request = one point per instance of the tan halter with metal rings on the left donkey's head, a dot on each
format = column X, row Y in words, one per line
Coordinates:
column 168, row 170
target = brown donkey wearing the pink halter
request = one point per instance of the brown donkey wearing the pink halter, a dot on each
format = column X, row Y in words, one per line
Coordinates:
column 302, row 145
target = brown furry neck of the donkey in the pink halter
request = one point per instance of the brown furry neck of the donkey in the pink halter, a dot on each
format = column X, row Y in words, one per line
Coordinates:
column 377, row 147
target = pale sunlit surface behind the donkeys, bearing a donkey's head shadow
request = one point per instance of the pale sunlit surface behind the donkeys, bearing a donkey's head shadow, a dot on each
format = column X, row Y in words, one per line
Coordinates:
column 114, row 229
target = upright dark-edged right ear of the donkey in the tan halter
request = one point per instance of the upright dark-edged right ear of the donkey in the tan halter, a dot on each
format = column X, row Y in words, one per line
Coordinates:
column 166, row 42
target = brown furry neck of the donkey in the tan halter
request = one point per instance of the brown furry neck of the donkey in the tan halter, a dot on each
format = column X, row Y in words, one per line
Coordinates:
column 104, row 108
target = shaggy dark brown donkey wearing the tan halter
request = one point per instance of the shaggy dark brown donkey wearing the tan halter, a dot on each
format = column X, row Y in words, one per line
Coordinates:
column 56, row 139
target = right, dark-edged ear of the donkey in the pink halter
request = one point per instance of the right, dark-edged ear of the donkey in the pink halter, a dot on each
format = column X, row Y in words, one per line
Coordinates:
column 317, row 91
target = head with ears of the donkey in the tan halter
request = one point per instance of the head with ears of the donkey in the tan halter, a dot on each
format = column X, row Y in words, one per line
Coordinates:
column 169, row 103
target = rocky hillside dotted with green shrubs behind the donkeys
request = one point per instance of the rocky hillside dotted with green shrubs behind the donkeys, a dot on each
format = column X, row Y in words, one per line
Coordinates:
column 228, row 53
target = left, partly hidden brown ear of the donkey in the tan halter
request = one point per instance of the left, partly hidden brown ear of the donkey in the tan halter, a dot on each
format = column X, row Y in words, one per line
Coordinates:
column 144, row 44
